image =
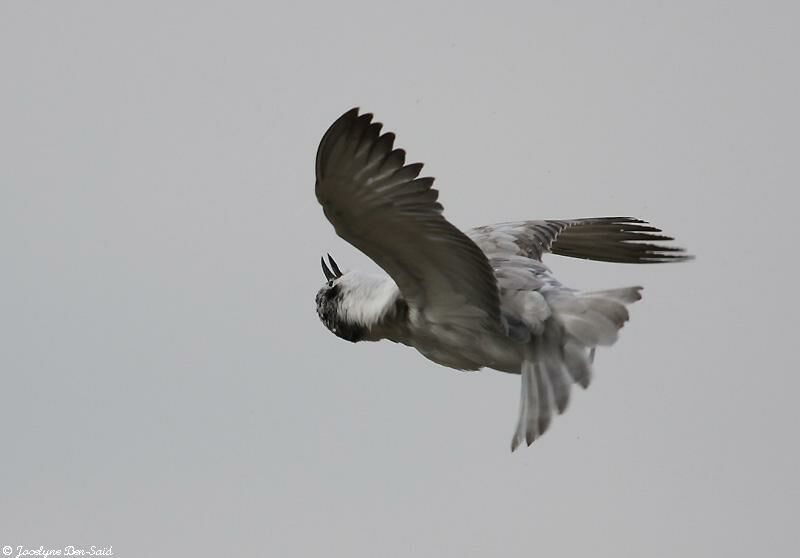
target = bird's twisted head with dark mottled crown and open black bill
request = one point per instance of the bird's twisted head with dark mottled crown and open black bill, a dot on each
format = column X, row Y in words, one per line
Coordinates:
column 333, row 301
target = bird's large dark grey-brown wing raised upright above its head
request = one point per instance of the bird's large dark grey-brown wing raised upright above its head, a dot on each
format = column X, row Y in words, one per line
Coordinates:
column 379, row 205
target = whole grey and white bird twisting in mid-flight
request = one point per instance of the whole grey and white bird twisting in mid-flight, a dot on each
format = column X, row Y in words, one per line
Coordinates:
column 473, row 299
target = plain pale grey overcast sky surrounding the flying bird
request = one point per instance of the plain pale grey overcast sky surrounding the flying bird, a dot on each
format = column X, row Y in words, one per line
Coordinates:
column 167, row 388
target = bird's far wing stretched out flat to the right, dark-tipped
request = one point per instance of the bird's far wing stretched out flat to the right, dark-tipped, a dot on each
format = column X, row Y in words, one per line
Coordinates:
column 606, row 239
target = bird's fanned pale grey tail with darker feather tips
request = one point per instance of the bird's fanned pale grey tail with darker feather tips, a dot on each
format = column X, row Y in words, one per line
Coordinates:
column 563, row 354
